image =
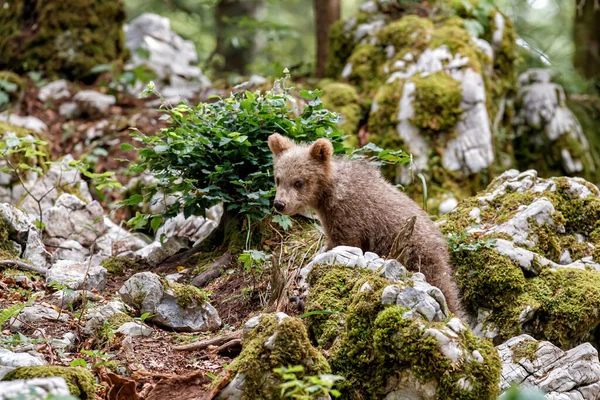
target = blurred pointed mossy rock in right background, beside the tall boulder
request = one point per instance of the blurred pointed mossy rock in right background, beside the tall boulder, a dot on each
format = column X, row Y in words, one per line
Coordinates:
column 549, row 137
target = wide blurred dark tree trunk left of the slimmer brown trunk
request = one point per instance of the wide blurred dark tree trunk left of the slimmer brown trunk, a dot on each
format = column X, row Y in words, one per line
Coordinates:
column 233, row 44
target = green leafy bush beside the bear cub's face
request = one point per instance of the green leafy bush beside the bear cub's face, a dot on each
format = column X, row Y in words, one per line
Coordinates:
column 217, row 151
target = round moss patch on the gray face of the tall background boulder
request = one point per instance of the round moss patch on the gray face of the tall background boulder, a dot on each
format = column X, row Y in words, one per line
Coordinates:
column 437, row 102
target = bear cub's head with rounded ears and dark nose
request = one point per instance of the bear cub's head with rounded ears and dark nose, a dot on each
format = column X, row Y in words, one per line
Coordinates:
column 301, row 173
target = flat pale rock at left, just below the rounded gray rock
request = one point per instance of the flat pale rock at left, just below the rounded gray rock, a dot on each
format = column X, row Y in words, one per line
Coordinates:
column 77, row 275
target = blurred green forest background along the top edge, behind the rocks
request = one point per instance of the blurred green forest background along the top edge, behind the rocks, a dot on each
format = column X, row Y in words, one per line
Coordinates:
column 284, row 33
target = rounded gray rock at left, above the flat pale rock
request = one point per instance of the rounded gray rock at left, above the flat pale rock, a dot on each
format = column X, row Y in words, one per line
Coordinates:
column 71, row 218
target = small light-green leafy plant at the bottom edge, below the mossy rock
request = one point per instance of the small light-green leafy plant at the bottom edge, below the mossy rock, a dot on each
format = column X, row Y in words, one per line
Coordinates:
column 307, row 387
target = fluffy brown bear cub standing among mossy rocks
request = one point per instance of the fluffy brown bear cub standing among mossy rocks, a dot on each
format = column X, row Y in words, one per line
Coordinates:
column 359, row 208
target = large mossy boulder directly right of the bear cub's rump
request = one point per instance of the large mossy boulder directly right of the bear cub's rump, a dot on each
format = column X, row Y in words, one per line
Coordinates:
column 526, row 252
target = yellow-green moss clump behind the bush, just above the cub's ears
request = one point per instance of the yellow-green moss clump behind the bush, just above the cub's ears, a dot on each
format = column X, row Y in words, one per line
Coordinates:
column 343, row 99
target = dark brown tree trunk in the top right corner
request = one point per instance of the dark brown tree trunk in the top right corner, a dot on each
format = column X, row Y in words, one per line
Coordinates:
column 587, row 39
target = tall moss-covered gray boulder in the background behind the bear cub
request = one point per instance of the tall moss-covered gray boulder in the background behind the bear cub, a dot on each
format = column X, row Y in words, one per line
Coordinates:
column 430, row 80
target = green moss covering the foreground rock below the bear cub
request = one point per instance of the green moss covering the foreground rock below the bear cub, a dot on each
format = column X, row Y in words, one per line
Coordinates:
column 370, row 343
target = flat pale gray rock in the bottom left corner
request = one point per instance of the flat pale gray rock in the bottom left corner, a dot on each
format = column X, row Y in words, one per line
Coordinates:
column 34, row 389
